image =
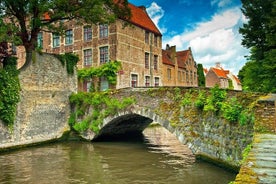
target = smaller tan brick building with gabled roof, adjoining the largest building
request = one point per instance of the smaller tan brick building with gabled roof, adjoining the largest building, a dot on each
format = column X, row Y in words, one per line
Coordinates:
column 179, row 67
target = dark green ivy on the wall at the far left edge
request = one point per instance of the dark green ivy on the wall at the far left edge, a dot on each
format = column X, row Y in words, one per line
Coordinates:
column 9, row 91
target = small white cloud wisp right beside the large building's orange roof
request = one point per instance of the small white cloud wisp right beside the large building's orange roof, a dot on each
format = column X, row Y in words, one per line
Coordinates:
column 156, row 13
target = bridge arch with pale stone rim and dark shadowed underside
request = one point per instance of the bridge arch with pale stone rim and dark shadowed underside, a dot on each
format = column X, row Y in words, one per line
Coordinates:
column 133, row 122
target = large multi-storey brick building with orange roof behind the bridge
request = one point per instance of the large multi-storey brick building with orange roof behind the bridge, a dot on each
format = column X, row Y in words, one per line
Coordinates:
column 137, row 46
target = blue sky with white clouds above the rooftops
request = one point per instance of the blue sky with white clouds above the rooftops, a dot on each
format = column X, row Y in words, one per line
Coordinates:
column 209, row 27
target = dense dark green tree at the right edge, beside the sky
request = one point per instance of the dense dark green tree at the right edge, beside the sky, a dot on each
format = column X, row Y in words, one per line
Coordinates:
column 259, row 74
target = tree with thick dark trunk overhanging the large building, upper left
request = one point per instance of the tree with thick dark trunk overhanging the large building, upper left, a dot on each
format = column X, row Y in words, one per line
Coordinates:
column 21, row 21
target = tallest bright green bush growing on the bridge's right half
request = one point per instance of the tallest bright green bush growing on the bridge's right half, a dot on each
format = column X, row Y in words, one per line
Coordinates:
column 215, row 99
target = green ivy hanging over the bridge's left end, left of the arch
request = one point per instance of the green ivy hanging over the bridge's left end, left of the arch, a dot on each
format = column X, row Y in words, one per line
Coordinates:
column 92, row 108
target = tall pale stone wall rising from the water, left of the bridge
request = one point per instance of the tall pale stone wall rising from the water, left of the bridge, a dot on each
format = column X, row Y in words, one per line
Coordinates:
column 43, row 111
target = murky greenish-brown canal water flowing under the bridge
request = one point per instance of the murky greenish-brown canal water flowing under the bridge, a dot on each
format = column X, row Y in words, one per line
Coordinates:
column 155, row 158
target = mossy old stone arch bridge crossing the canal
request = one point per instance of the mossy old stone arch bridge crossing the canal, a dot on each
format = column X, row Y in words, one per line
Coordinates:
column 208, row 135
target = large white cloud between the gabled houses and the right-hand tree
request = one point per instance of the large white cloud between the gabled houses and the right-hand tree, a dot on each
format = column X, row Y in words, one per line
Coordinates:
column 214, row 41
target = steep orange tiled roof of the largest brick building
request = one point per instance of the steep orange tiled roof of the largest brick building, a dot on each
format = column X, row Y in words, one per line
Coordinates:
column 140, row 18
